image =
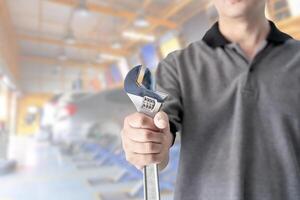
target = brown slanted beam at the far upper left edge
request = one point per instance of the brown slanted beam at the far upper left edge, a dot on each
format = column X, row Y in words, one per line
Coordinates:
column 8, row 46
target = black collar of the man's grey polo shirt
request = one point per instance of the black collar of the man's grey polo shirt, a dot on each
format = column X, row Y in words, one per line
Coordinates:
column 214, row 37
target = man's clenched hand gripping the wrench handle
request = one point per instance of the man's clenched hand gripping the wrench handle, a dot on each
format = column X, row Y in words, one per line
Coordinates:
column 146, row 140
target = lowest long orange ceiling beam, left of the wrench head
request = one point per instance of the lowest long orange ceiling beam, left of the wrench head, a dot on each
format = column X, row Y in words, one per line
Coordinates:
column 66, row 63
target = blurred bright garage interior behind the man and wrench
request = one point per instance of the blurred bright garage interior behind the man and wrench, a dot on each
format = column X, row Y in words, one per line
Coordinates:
column 62, row 66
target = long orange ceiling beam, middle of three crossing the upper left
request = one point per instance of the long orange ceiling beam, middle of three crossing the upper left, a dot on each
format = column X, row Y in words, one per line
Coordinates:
column 78, row 45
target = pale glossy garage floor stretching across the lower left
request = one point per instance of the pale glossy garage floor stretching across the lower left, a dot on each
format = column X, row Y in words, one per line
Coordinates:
column 43, row 173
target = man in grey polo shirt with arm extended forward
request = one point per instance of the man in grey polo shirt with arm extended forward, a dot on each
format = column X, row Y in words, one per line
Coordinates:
column 235, row 97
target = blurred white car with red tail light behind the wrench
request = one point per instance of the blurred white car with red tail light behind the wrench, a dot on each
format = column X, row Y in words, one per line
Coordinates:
column 93, row 115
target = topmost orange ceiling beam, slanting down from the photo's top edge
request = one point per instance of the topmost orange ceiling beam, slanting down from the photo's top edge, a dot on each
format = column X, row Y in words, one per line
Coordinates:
column 118, row 13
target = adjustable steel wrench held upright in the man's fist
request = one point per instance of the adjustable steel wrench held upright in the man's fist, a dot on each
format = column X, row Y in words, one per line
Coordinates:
column 149, row 102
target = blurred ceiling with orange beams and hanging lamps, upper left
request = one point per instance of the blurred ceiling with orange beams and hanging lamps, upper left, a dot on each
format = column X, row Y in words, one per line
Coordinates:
column 42, row 25
